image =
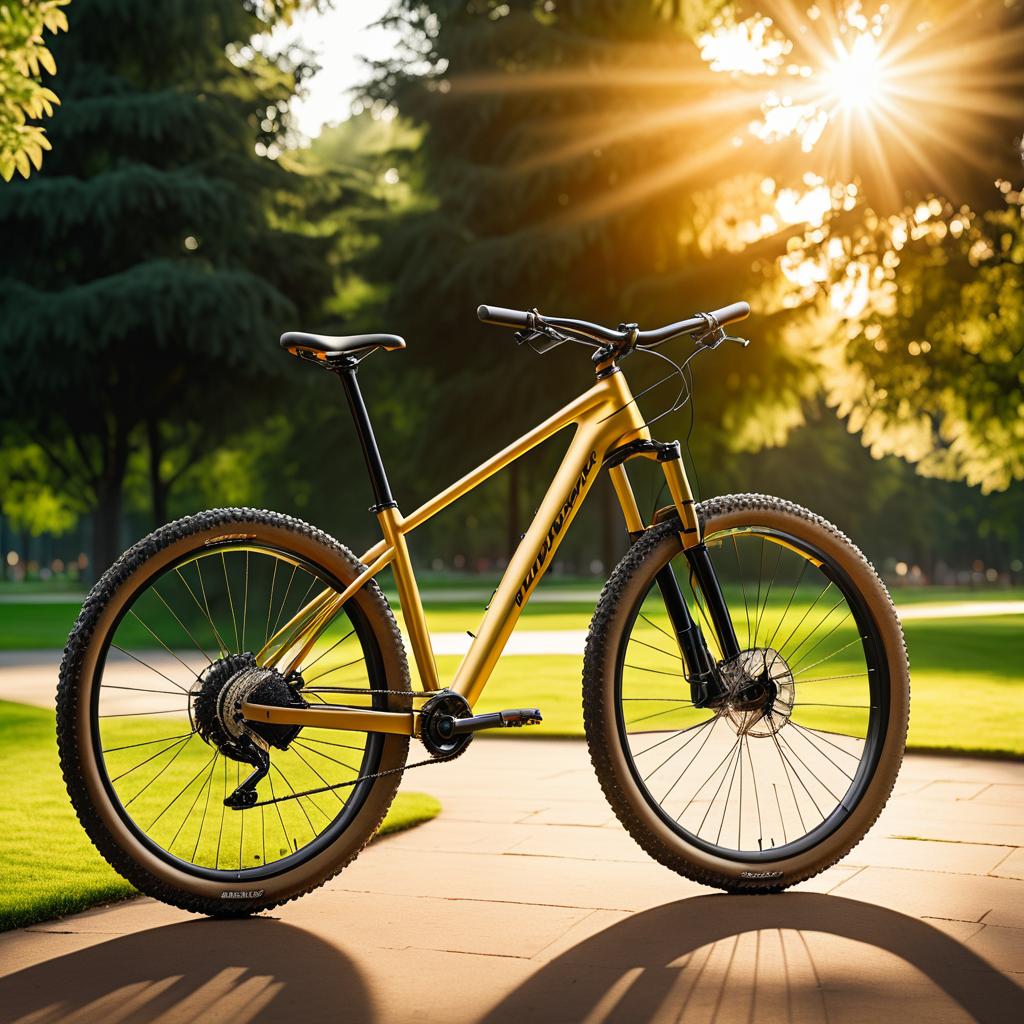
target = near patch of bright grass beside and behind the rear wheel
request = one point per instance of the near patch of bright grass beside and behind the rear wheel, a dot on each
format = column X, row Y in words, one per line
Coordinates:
column 50, row 868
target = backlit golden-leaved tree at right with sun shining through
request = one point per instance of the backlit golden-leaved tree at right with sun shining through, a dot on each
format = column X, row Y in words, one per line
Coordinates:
column 912, row 284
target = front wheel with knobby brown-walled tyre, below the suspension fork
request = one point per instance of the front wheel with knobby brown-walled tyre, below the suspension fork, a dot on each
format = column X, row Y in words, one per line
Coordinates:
column 738, row 797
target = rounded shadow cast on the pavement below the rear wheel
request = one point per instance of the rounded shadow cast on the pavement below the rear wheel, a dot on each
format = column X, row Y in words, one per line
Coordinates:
column 239, row 971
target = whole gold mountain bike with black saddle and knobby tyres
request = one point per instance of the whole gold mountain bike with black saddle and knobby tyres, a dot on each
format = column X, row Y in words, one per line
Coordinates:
column 236, row 707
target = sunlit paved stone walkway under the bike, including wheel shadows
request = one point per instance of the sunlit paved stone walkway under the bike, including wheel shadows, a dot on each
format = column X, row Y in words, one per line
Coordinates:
column 526, row 902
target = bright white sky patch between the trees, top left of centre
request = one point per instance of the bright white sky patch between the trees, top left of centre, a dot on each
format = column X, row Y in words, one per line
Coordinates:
column 340, row 38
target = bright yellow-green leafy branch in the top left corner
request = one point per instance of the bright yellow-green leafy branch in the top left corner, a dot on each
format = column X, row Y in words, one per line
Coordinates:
column 24, row 58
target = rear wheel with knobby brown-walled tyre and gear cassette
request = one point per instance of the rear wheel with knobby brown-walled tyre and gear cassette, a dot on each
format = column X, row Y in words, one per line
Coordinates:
column 150, row 739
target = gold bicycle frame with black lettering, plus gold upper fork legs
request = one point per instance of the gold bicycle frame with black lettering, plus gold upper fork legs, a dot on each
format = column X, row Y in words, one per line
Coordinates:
column 607, row 418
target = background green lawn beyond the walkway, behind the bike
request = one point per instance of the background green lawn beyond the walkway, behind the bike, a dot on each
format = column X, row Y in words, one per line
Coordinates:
column 967, row 676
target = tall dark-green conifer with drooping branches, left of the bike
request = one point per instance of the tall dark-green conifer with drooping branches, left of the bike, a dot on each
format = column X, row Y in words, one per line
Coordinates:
column 160, row 251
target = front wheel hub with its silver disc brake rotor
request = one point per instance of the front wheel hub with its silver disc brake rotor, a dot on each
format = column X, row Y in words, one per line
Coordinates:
column 760, row 692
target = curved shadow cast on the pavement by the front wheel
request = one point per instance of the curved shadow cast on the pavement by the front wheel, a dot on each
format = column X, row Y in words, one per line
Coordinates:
column 801, row 957
